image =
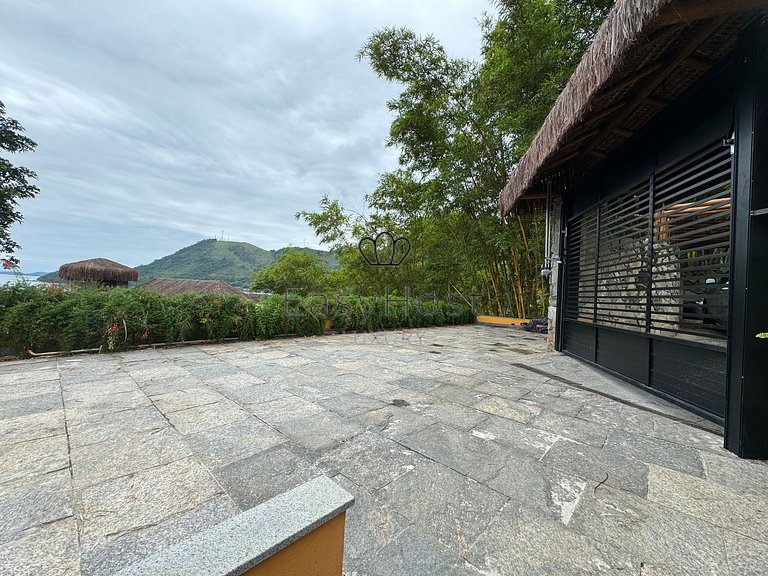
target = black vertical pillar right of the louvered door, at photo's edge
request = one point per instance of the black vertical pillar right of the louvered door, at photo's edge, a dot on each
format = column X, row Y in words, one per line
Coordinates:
column 746, row 431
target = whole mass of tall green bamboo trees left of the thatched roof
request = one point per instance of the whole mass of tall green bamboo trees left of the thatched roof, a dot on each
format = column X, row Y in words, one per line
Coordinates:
column 459, row 127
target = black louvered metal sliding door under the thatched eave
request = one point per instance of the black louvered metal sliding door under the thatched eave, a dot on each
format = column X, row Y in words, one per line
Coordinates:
column 647, row 278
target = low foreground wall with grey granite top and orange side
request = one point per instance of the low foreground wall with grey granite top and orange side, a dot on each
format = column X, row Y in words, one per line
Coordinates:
column 299, row 532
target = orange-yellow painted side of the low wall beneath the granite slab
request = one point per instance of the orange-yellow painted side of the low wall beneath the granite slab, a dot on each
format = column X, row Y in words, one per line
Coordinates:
column 319, row 553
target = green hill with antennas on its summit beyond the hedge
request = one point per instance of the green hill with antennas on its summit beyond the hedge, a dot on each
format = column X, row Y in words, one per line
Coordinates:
column 233, row 262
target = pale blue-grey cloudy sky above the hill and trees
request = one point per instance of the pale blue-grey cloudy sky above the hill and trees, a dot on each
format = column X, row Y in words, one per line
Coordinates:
column 163, row 122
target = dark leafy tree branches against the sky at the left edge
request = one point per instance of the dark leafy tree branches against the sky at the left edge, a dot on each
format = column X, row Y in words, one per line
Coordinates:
column 14, row 180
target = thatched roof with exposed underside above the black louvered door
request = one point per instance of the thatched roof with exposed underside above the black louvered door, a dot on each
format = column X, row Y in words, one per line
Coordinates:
column 645, row 55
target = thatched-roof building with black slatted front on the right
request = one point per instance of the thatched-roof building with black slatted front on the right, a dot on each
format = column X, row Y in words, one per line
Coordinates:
column 653, row 167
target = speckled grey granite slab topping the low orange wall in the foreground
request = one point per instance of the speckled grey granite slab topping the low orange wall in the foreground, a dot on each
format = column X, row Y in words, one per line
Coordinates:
column 242, row 542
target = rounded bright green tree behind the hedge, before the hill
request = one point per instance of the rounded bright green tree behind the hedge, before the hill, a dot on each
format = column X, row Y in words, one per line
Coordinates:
column 294, row 269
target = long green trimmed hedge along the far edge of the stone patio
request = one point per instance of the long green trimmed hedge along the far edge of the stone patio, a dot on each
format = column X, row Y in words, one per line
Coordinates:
column 51, row 319
